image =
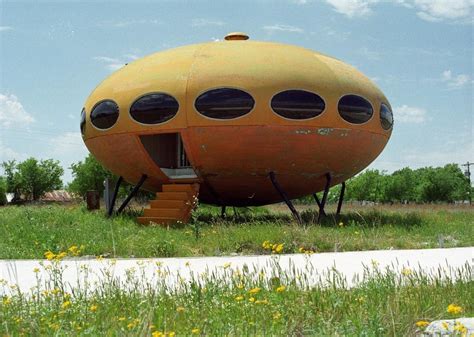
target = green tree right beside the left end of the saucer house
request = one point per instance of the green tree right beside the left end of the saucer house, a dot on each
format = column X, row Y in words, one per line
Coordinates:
column 88, row 175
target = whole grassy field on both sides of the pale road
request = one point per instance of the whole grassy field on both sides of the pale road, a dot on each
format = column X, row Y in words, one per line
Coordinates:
column 385, row 303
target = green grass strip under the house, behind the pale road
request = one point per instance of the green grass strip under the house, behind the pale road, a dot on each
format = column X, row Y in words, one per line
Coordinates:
column 29, row 231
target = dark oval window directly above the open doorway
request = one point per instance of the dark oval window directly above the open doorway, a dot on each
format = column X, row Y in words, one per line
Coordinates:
column 154, row 108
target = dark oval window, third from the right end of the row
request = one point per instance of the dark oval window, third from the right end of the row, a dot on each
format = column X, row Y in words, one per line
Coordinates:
column 297, row 104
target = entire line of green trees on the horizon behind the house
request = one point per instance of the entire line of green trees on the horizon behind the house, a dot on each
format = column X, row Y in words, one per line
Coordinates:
column 30, row 179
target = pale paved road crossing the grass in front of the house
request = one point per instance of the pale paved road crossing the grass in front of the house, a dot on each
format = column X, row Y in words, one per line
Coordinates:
column 89, row 273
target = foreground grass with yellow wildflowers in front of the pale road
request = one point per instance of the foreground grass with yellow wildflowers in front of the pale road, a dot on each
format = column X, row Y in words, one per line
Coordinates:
column 383, row 304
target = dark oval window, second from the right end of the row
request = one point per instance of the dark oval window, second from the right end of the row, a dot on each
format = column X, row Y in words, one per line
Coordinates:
column 355, row 109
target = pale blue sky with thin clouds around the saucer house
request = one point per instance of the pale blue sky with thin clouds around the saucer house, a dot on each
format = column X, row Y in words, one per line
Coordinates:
column 419, row 52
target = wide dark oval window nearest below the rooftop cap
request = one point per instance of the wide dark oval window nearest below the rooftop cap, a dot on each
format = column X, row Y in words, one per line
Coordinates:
column 224, row 103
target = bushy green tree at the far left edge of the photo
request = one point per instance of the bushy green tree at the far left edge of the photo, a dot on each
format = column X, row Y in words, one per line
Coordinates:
column 32, row 178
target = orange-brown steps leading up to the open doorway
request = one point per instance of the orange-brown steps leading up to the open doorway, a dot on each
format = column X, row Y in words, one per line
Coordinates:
column 175, row 203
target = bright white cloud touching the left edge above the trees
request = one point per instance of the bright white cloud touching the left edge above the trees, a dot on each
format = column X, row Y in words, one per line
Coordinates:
column 12, row 112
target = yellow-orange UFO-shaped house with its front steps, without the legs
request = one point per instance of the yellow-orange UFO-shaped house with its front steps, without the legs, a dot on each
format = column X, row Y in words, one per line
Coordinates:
column 240, row 122
